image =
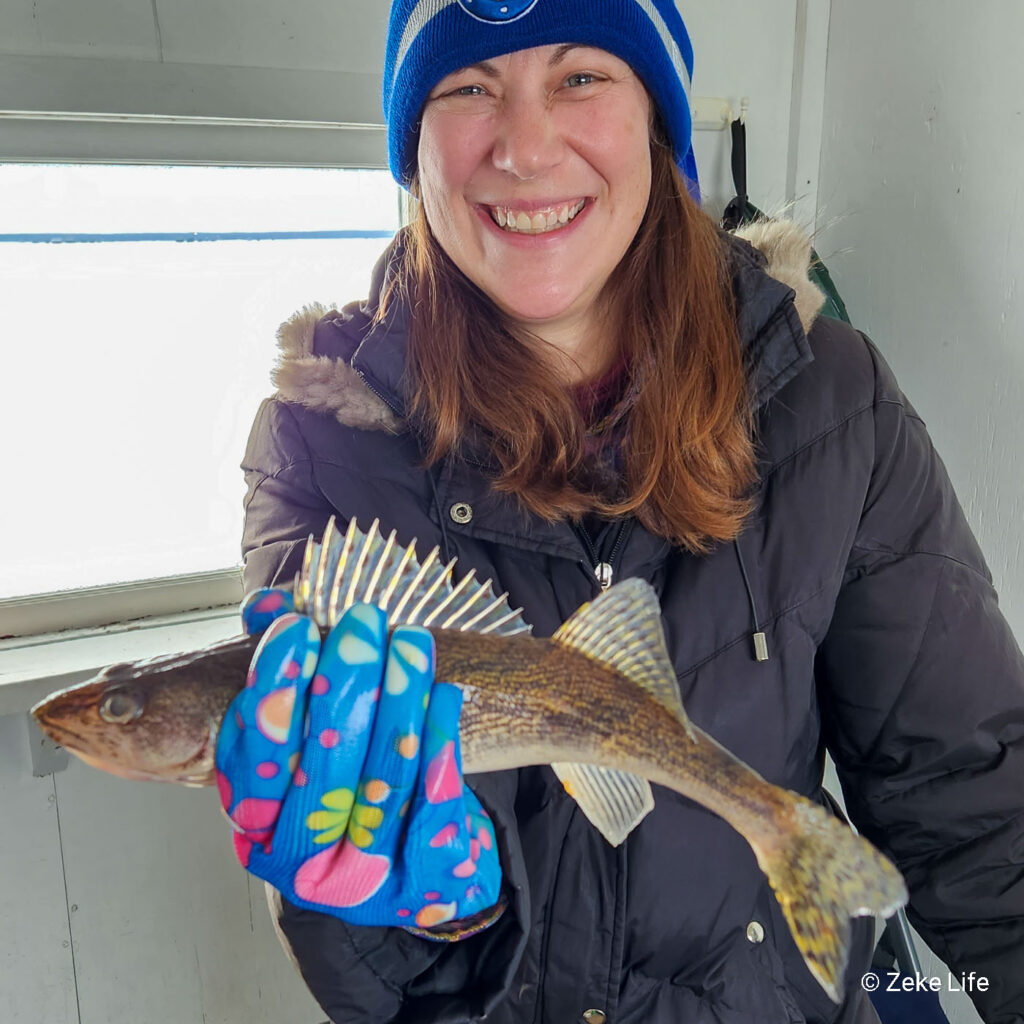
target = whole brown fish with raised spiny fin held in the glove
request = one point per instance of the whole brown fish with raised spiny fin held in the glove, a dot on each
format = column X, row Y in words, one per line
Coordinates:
column 599, row 701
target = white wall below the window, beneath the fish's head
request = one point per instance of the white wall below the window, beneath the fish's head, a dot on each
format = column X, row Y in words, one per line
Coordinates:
column 122, row 903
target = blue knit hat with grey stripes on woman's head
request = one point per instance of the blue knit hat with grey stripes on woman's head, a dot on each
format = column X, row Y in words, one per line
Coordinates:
column 430, row 39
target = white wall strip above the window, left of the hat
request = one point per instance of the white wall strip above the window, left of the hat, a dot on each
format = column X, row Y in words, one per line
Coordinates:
column 303, row 61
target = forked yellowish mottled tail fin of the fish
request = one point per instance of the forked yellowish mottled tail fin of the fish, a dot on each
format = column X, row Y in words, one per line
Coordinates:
column 824, row 874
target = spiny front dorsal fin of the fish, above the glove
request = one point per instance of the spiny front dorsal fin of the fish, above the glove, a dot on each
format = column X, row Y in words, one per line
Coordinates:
column 345, row 569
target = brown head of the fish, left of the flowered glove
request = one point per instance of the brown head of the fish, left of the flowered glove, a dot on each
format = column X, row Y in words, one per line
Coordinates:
column 156, row 720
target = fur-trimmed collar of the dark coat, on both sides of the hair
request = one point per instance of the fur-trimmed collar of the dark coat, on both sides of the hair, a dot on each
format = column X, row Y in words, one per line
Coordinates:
column 340, row 363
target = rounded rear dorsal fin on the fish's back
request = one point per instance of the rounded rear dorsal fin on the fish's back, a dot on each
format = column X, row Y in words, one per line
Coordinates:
column 622, row 629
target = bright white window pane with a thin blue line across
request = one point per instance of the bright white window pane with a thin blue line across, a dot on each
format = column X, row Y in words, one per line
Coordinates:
column 139, row 308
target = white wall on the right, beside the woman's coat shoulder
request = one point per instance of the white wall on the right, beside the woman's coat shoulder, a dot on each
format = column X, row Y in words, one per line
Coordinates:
column 922, row 200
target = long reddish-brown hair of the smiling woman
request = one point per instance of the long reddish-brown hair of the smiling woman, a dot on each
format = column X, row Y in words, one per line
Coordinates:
column 689, row 454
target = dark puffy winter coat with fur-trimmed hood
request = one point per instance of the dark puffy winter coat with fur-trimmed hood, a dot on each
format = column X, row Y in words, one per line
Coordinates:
column 885, row 645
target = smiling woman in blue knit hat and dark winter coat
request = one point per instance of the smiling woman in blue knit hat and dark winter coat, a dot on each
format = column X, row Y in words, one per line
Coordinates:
column 565, row 376
